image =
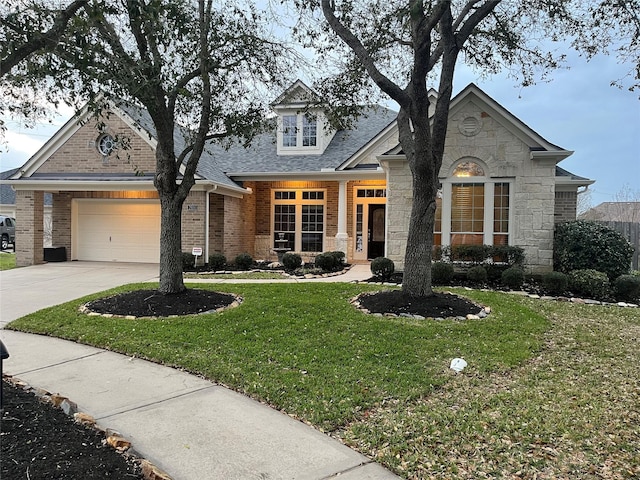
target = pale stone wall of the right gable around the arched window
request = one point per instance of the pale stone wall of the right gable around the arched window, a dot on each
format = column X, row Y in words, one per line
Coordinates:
column 506, row 157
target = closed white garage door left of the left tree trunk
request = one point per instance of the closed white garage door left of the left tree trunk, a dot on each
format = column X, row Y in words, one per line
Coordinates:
column 118, row 230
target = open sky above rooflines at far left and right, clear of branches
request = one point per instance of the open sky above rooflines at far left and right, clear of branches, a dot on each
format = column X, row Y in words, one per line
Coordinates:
column 577, row 110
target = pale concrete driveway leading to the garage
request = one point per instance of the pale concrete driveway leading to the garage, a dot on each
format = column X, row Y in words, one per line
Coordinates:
column 28, row 289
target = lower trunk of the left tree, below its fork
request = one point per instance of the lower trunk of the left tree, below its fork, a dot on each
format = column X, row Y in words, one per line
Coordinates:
column 171, row 280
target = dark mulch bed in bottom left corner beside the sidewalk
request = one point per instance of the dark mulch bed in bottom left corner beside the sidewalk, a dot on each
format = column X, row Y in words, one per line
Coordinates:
column 39, row 441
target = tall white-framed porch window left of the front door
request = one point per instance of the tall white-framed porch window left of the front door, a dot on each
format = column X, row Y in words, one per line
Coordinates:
column 299, row 215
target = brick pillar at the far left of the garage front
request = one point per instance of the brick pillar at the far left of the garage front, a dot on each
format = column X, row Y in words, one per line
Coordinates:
column 29, row 227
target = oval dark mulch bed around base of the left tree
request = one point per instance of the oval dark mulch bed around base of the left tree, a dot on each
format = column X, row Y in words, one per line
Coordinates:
column 151, row 303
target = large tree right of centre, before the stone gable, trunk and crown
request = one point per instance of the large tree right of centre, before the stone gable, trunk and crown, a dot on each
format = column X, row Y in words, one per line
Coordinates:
column 400, row 46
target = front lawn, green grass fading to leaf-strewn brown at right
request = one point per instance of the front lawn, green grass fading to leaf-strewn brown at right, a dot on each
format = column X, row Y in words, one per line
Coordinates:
column 551, row 390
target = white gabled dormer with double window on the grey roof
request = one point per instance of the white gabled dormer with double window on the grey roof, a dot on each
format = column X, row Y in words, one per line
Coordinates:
column 302, row 125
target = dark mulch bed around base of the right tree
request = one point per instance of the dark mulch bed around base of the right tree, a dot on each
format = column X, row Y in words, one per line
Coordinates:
column 439, row 305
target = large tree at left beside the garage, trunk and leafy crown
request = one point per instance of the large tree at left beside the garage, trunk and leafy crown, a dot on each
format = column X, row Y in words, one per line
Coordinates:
column 189, row 63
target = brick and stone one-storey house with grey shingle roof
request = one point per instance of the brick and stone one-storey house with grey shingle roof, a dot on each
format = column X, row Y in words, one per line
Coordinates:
column 322, row 190
